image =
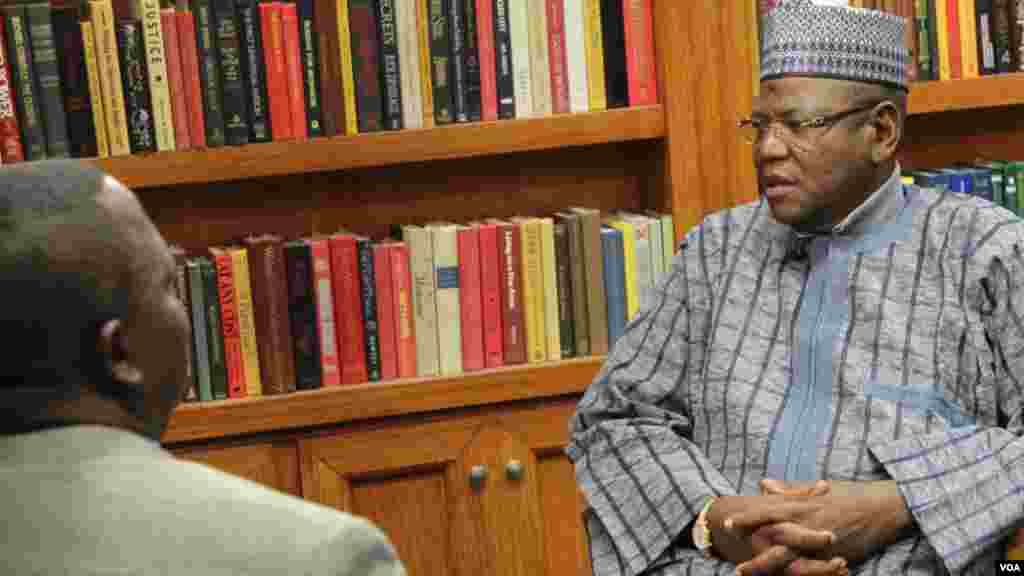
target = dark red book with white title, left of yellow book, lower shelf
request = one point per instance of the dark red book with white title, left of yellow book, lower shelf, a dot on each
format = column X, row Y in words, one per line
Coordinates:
column 514, row 331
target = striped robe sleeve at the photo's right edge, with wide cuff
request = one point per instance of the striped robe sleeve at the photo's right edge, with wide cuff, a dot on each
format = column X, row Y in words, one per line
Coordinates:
column 965, row 486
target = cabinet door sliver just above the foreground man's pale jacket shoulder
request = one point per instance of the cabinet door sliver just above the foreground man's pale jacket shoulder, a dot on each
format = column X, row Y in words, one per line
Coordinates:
column 273, row 465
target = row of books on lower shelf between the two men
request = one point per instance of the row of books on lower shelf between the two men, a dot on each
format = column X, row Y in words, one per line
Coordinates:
column 272, row 316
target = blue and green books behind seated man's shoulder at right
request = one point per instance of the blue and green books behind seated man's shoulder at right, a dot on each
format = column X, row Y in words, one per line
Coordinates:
column 998, row 181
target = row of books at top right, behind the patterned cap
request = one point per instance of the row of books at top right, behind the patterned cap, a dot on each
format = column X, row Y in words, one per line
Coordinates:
column 954, row 39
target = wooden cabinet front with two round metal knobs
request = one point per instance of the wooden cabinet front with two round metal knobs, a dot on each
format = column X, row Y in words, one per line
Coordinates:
column 486, row 491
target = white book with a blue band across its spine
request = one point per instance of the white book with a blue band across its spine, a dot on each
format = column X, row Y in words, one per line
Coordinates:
column 447, row 295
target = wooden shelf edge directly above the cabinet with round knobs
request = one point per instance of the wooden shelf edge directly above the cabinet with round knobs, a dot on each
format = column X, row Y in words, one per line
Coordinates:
column 347, row 404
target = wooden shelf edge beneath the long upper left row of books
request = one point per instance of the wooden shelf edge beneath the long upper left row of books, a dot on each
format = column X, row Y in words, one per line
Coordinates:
column 385, row 149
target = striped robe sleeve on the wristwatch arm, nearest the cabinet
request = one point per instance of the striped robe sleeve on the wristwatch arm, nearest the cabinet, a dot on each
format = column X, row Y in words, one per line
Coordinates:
column 631, row 444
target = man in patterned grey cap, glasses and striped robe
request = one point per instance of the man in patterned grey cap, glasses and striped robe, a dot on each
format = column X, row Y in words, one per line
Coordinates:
column 830, row 380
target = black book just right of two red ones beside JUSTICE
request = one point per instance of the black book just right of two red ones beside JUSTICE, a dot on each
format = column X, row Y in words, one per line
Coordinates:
column 209, row 73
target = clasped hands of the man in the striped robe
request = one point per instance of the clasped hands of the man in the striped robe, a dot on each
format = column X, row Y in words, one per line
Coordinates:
column 807, row 529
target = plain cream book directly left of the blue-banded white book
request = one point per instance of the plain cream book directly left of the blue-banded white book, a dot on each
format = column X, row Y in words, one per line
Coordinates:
column 421, row 264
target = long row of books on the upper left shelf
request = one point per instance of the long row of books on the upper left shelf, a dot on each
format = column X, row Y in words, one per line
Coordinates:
column 103, row 78
